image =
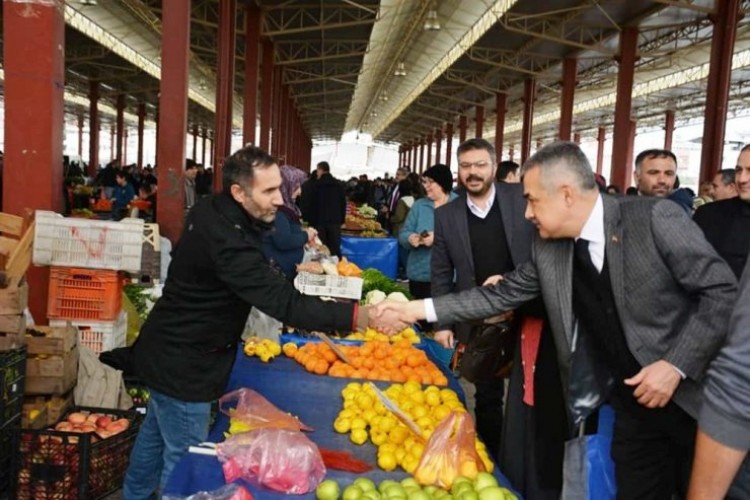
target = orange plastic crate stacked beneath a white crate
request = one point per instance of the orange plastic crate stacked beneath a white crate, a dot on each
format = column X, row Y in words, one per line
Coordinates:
column 84, row 294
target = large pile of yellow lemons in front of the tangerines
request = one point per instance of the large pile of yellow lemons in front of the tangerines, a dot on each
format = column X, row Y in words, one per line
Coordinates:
column 363, row 416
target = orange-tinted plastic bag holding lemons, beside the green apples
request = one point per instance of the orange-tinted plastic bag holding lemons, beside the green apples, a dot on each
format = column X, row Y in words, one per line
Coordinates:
column 450, row 452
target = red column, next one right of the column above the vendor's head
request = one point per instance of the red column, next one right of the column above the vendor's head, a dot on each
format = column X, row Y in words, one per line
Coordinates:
column 252, row 42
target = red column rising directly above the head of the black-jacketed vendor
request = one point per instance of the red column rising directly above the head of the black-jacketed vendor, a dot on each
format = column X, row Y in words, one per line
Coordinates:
column 224, row 85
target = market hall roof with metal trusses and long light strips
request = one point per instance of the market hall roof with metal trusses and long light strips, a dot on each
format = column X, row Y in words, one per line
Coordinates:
column 340, row 59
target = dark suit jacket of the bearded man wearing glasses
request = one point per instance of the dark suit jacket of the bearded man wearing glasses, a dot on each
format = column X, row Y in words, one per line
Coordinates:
column 451, row 251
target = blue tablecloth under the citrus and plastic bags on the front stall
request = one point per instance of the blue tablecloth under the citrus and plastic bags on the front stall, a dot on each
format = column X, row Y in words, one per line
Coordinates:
column 313, row 398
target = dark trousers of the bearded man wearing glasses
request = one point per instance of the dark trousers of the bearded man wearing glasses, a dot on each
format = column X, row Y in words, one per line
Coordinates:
column 488, row 410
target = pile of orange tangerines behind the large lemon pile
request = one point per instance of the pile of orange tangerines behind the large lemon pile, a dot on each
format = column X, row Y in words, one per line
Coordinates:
column 375, row 360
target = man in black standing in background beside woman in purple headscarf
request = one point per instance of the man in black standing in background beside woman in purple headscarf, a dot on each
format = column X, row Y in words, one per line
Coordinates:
column 328, row 208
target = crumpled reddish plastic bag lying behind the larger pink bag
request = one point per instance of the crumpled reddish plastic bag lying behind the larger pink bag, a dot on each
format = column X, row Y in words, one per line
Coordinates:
column 258, row 412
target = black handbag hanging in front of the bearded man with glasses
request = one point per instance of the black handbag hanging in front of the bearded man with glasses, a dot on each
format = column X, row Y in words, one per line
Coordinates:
column 489, row 352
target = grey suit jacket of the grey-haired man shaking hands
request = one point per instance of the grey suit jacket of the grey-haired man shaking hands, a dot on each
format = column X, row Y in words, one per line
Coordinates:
column 673, row 292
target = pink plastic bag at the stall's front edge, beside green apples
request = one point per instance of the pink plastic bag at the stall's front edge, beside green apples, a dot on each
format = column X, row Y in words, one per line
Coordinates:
column 279, row 459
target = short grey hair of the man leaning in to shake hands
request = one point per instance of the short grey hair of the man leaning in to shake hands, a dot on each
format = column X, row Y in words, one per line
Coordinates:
column 558, row 158
